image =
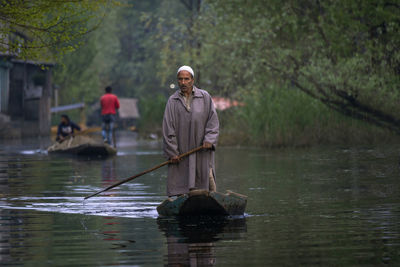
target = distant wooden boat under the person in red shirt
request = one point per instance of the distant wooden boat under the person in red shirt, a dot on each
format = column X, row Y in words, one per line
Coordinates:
column 82, row 146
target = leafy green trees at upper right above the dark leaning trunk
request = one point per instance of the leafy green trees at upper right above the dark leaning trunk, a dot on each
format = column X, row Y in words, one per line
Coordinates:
column 344, row 54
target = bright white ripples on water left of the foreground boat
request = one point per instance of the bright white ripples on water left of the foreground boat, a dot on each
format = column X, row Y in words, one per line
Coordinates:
column 130, row 204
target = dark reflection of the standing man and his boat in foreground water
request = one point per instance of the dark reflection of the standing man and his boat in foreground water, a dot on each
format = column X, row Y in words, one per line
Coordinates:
column 191, row 240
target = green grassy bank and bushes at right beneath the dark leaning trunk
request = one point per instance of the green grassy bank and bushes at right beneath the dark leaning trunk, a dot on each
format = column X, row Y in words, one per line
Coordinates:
column 289, row 118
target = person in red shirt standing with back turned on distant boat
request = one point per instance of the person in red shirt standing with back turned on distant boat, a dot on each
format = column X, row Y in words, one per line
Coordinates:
column 109, row 105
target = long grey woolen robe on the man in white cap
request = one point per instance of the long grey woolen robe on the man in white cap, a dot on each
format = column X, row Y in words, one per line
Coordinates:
column 183, row 130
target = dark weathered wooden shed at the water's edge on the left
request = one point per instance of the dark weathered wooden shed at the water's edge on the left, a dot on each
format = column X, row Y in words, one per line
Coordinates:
column 25, row 95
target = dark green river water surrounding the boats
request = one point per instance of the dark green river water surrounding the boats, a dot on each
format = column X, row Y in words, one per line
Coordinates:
column 325, row 206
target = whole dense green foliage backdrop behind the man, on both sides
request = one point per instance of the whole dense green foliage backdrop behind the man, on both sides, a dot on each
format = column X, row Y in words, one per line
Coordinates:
column 307, row 71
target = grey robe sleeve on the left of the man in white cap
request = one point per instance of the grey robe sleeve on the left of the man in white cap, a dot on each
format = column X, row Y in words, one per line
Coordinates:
column 169, row 133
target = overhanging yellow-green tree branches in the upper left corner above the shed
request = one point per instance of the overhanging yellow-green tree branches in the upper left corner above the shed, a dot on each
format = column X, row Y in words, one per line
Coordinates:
column 33, row 29
